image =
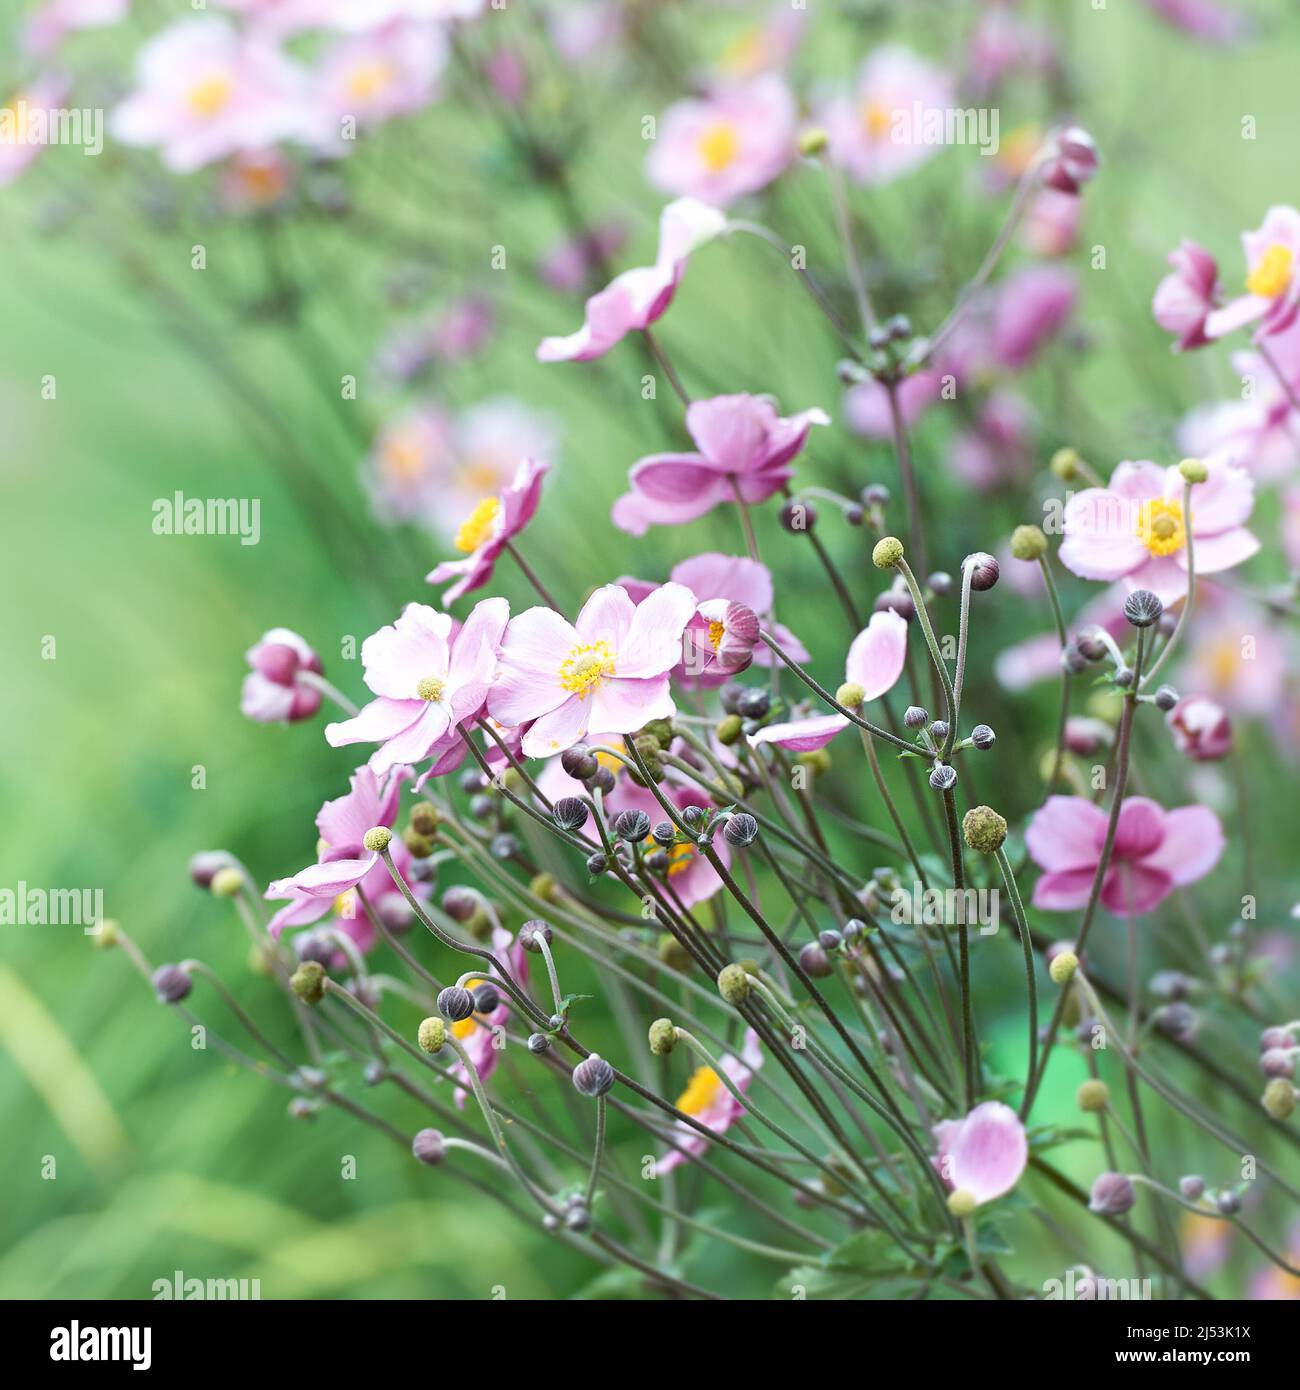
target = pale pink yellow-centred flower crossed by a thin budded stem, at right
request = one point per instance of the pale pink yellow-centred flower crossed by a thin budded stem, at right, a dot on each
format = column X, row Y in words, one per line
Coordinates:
column 1135, row 530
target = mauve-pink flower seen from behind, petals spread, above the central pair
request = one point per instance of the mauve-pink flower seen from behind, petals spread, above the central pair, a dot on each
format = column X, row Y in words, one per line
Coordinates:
column 746, row 451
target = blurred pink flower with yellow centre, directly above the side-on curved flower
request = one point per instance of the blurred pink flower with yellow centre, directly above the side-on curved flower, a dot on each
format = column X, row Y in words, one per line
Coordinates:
column 732, row 142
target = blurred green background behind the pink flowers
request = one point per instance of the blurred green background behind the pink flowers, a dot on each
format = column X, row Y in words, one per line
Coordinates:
column 166, row 1157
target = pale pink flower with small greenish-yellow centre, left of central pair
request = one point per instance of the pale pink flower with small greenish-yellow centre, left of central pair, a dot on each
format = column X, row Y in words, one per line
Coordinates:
column 425, row 685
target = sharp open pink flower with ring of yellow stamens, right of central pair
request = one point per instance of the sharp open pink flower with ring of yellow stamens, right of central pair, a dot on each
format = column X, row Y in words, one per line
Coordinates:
column 610, row 671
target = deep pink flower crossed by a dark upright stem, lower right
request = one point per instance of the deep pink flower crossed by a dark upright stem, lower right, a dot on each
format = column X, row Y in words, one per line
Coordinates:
column 1156, row 851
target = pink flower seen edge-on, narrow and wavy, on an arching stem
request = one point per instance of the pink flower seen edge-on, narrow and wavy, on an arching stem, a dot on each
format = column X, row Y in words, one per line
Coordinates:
column 639, row 298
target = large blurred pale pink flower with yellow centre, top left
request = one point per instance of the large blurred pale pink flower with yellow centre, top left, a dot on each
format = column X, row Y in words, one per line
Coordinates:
column 205, row 92
